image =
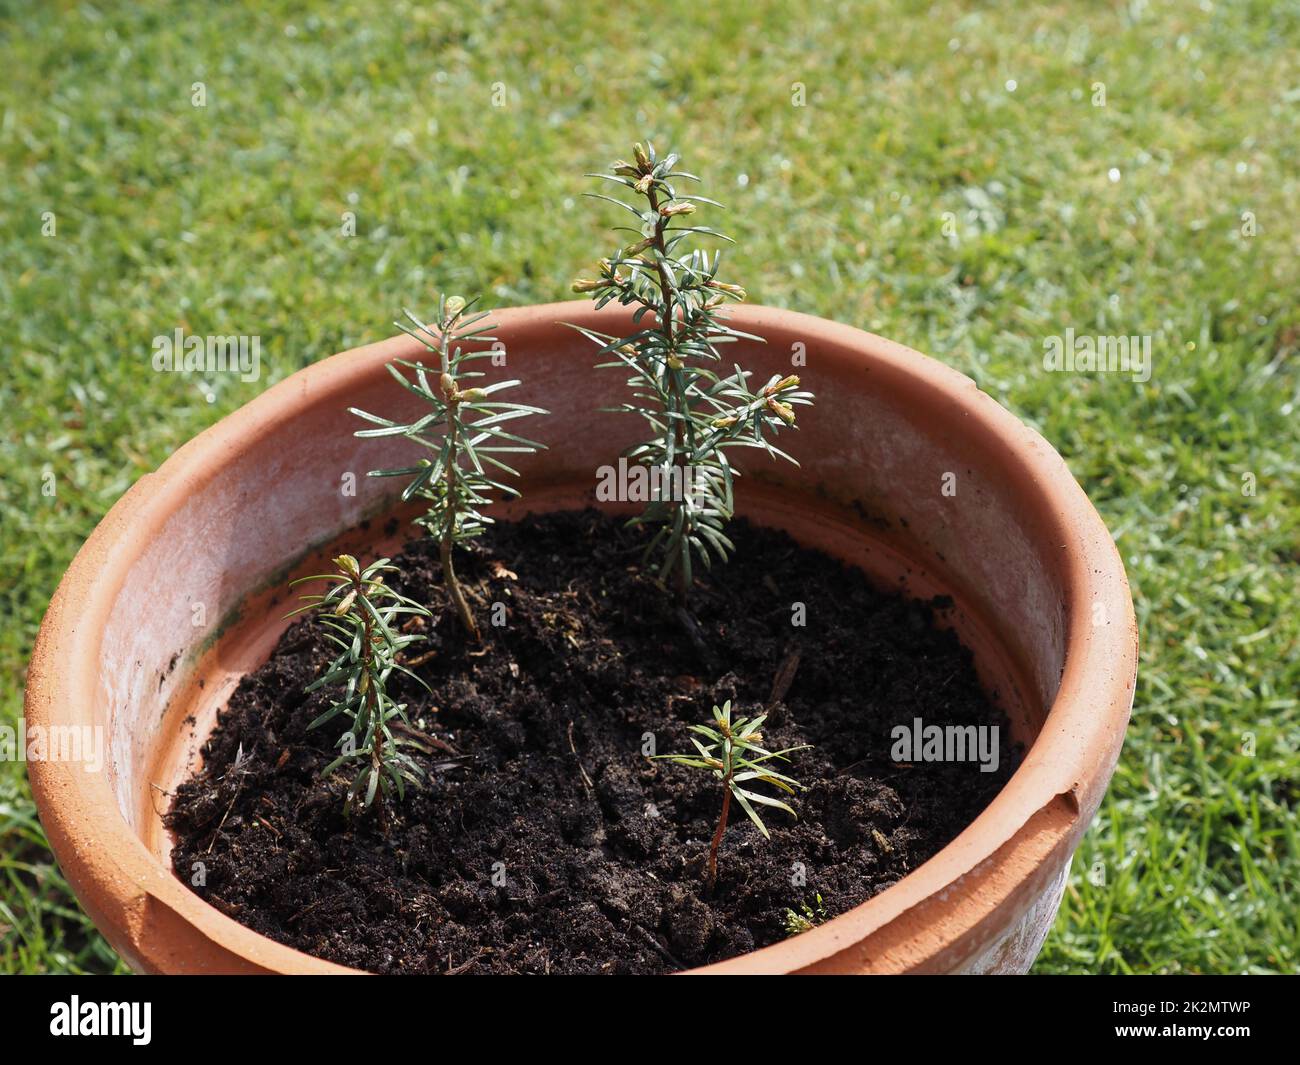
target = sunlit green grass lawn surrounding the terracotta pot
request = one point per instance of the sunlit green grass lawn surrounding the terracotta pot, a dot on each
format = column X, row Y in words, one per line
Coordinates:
column 1171, row 211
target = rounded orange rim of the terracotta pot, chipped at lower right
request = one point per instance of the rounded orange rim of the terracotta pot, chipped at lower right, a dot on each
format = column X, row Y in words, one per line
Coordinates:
column 144, row 908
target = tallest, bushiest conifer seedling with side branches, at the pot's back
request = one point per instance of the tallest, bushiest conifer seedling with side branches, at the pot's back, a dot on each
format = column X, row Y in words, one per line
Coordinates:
column 694, row 413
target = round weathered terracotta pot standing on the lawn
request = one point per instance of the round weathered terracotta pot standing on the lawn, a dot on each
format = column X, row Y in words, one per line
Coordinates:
column 171, row 603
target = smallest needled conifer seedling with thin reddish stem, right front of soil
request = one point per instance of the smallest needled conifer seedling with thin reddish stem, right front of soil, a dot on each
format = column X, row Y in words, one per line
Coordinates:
column 734, row 754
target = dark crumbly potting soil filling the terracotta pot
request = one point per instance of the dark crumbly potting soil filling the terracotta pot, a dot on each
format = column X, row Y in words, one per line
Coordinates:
column 553, row 845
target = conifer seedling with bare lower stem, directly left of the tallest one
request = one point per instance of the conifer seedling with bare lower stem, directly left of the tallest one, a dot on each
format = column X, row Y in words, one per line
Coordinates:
column 463, row 430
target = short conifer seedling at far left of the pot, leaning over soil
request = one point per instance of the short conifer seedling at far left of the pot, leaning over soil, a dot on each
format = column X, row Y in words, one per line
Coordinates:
column 362, row 617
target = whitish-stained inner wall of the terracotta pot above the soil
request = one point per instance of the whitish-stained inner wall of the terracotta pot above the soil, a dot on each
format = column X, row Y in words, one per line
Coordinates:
column 896, row 477
